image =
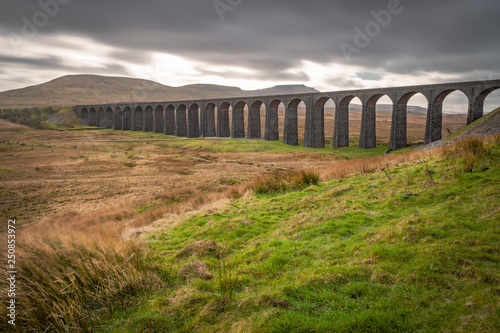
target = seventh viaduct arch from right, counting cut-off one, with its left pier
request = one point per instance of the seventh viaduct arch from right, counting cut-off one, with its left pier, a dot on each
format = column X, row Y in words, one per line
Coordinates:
column 296, row 109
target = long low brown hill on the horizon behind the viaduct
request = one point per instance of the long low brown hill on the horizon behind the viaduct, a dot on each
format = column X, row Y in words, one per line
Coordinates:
column 95, row 89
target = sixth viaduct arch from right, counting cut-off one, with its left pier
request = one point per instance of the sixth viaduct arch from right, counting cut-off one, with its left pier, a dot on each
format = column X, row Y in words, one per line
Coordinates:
column 323, row 122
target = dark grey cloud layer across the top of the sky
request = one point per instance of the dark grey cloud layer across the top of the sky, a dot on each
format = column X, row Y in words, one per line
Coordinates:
column 271, row 37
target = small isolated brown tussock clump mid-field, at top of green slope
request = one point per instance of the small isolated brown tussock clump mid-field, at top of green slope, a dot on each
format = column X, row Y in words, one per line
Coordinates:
column 280, row 182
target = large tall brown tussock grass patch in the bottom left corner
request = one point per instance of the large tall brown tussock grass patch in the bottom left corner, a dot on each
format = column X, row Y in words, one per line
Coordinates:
column 69, row 286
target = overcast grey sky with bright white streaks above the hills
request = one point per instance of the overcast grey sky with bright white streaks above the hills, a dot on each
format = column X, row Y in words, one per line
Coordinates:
column 326, row 44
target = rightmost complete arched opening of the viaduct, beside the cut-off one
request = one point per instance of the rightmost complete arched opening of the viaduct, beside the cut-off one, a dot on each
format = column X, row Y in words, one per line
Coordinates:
column 455, row 107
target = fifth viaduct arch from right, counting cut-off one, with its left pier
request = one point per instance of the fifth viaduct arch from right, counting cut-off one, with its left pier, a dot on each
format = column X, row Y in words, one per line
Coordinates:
column 347, row 121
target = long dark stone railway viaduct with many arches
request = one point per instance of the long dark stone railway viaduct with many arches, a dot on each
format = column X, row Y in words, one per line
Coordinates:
column 196, row 118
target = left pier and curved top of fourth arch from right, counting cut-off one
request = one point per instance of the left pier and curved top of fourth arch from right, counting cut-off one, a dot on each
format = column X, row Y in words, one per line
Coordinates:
column 368, row 133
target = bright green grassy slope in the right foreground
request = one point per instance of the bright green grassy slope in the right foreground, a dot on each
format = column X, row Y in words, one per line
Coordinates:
column 362, row 254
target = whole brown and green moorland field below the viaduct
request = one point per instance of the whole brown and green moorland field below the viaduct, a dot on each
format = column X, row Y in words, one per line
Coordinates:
column 123, row 231
